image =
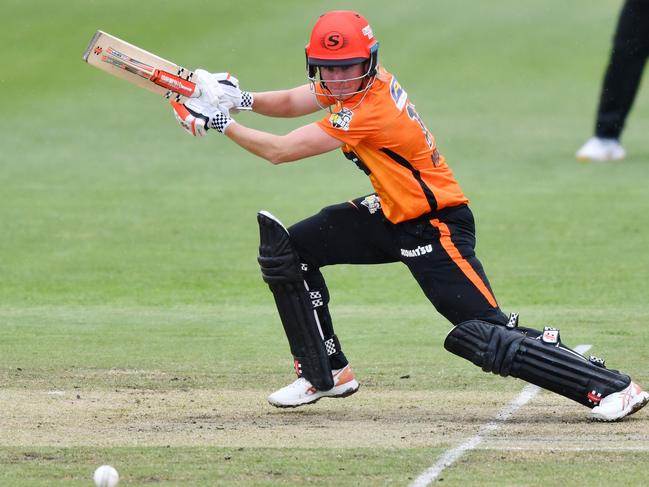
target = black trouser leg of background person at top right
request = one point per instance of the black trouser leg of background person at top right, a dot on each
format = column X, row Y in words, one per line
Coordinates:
column 628, row 58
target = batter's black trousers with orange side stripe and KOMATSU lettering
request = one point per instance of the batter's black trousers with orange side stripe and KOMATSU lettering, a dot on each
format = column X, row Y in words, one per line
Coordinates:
column 439, row 250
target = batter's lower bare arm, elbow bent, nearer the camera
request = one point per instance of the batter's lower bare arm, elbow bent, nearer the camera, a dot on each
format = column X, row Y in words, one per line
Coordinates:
column 306, row 141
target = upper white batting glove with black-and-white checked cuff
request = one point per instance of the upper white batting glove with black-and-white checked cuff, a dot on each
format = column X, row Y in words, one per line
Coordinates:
column 222, row 89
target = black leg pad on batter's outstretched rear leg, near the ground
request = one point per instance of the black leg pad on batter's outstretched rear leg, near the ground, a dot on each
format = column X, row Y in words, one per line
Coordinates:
column 509, row 352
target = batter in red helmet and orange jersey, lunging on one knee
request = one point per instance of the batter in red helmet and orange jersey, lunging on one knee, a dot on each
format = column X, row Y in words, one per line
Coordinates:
column 418, row 215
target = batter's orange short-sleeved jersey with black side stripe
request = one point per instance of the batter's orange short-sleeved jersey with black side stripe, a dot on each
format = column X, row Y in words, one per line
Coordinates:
column 386, row 138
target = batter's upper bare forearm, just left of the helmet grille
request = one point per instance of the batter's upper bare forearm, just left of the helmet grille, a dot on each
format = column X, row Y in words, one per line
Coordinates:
column 293, row 102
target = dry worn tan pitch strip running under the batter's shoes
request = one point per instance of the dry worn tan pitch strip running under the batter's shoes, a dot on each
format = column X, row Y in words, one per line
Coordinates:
column 229, row 418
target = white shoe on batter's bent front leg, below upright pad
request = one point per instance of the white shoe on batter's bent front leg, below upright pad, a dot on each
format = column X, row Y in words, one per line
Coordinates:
column 301, row 391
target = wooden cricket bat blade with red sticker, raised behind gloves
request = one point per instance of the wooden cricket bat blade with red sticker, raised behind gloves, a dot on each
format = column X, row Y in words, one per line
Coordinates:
column 140, row 67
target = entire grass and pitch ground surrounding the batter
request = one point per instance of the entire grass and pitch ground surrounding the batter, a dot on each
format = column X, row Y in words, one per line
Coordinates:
column 136, row 330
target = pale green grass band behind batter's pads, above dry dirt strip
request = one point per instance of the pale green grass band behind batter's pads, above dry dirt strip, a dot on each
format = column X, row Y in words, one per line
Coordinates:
column 213, row 346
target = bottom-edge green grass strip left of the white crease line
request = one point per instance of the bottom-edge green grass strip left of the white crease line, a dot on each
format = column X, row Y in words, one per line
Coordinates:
column 215, row 466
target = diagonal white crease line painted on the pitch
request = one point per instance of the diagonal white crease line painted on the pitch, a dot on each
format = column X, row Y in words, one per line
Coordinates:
column 451, row 456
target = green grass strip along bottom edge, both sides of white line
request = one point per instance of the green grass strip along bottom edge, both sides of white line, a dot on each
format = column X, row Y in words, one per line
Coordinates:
column 259, row 467
